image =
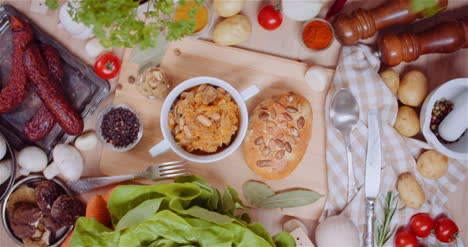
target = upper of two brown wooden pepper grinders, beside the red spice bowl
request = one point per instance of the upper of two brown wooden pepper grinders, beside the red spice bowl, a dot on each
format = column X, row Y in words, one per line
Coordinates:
column 362, row 24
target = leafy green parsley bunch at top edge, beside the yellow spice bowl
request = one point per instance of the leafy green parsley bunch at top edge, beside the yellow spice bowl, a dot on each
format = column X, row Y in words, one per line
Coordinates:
column 117, row 24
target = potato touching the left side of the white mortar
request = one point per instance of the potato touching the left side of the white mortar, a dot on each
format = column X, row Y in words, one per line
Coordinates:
column 407, row 122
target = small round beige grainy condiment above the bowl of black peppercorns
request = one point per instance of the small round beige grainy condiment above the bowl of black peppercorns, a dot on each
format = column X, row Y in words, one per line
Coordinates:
column 153, row 83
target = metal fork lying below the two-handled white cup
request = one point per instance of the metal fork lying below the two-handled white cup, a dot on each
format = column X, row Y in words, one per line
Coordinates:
column 154, row 172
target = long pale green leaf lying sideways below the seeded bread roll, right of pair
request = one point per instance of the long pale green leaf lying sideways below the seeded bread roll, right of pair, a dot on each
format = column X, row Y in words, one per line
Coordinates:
column 290, row 199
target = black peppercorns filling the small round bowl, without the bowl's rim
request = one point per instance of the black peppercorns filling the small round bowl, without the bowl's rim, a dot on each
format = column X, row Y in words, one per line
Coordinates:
column 120, row 127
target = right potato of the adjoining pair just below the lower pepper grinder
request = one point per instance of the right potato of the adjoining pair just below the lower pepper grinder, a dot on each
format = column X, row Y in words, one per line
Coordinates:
column 413, row 88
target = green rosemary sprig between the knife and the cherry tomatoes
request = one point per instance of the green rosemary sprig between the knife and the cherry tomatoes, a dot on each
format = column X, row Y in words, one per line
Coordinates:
column 384, row 231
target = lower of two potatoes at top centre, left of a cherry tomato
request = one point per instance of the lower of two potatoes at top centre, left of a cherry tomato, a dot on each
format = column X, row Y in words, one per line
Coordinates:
column 232, row 31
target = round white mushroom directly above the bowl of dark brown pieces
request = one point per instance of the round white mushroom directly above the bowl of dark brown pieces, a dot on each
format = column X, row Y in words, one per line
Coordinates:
column 32, row 159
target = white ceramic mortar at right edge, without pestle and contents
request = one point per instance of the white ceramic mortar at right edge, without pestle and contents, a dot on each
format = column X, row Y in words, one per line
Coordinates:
column 448, row 90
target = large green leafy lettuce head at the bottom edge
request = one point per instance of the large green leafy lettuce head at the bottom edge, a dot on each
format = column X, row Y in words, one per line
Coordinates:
column 188, row 212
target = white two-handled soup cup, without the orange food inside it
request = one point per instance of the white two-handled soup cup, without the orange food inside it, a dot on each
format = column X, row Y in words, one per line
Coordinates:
column 169, row 141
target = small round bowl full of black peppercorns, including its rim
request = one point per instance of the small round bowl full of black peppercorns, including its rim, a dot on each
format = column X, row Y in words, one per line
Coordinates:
column 119, row 127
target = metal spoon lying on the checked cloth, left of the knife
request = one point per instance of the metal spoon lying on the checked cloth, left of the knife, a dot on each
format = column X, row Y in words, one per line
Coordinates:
column 344, row 114
